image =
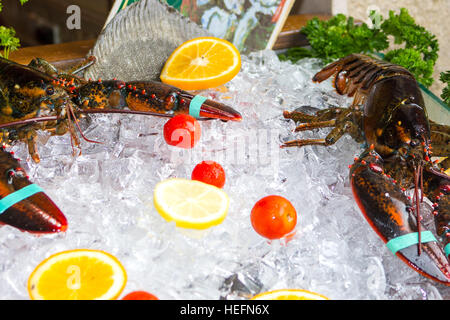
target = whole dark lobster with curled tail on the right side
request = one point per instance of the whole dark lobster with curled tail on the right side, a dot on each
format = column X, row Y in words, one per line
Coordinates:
column 389, row 117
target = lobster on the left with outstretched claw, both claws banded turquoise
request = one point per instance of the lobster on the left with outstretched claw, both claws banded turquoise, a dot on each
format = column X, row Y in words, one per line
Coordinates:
column 40, row 97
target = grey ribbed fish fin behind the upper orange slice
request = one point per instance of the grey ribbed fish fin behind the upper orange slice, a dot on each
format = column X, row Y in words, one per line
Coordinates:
column 137, row 42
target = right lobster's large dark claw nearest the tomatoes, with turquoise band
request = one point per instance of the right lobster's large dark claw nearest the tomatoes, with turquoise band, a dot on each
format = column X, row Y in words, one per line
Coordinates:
column 388, row 211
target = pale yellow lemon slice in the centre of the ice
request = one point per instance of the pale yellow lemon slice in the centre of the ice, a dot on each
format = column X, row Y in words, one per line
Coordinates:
column 190, row 203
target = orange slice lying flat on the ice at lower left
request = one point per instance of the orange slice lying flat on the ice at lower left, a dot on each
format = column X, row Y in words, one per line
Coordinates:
column 81, row 274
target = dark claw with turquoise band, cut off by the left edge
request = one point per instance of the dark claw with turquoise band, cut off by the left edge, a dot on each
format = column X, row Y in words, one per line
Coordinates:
column 24, row 205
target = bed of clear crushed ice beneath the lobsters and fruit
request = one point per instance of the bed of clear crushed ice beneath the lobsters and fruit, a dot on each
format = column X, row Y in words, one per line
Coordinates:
column 106, row 194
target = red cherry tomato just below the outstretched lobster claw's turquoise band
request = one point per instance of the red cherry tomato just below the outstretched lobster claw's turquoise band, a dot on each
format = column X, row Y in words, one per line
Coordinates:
column 182, row 131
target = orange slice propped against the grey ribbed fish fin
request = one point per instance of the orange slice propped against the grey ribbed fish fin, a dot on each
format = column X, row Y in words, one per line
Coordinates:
column 202, row 63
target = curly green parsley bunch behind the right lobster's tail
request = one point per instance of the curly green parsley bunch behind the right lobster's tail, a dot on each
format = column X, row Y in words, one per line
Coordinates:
column 416, row 48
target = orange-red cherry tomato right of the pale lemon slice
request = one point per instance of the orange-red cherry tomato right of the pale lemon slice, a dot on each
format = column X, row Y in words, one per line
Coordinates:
column 273, row 217
